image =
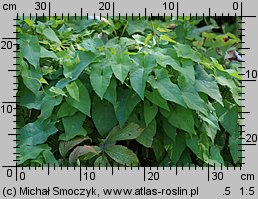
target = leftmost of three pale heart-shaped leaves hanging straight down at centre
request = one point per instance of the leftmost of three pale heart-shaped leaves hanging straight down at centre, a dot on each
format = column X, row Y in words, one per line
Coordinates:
column 100, row 77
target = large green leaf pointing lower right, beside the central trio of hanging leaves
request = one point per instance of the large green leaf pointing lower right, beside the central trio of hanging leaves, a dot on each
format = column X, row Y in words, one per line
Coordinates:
column 167, row 89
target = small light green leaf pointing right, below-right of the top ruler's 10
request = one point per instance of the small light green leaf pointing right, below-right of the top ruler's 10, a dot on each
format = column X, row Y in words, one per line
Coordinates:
column 187, row 52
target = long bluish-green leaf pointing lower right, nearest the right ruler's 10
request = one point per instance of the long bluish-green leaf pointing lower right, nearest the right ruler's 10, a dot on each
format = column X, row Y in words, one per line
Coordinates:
column 207, row 84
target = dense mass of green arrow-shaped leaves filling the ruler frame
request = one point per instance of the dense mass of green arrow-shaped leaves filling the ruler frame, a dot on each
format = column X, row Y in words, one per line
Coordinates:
column 151, row 92
